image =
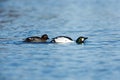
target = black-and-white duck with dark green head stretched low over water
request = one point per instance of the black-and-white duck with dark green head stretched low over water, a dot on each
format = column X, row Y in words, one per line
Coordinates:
column 65, row 39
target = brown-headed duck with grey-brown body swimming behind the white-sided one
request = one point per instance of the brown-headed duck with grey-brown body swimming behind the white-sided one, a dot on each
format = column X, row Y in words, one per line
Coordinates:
column 43, row 38
